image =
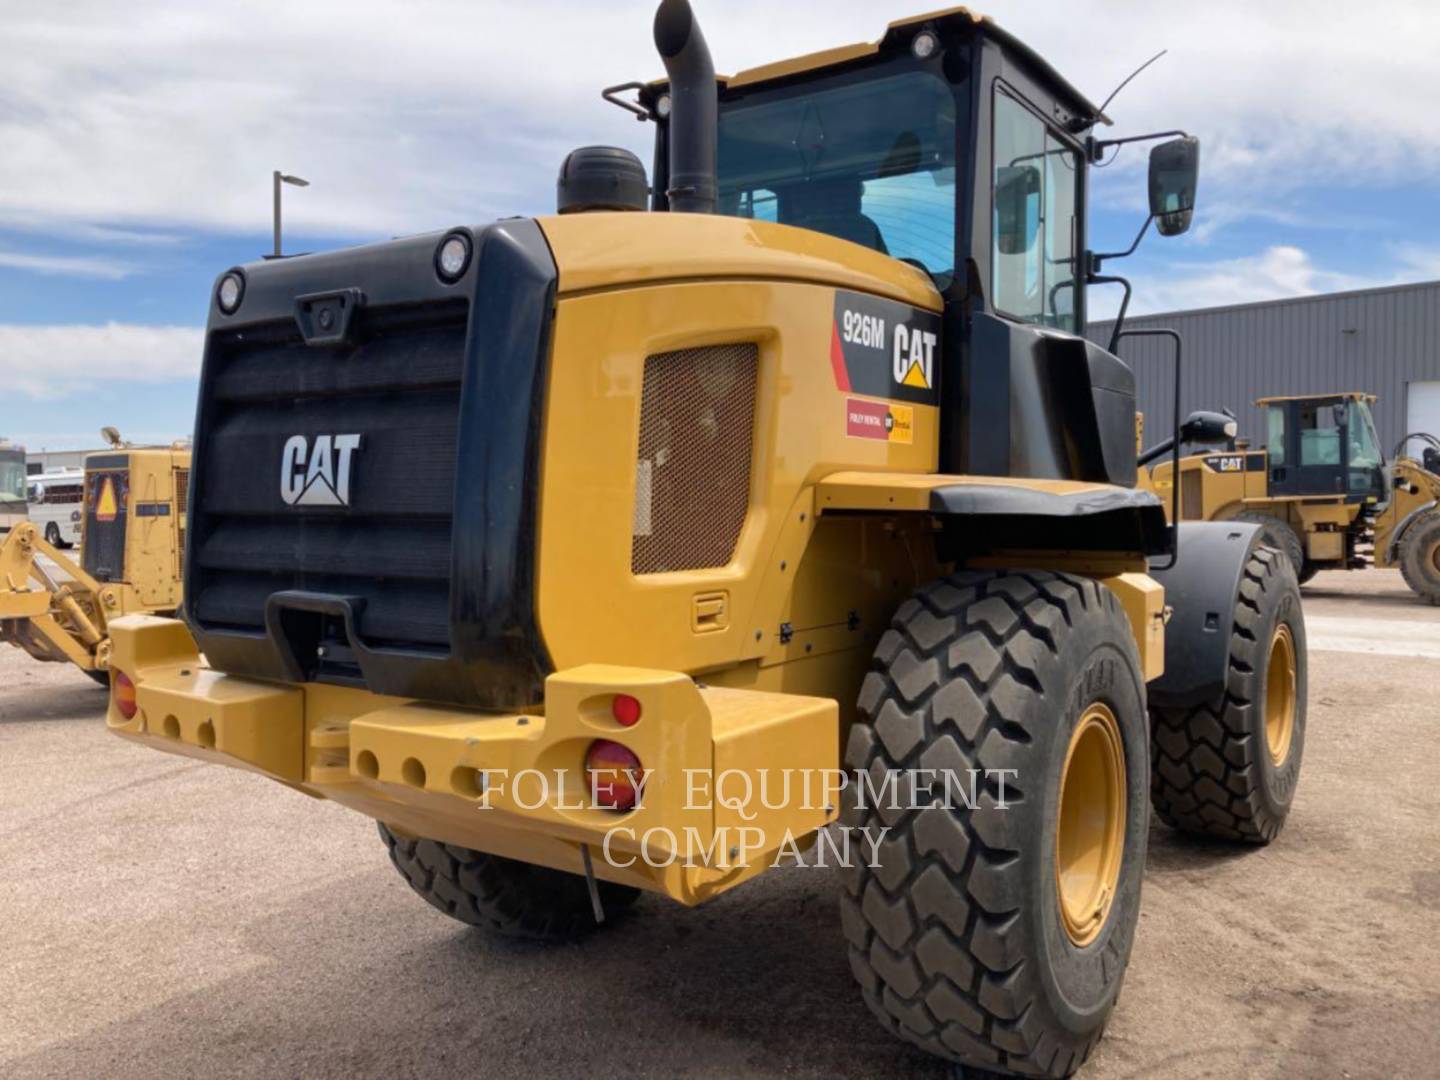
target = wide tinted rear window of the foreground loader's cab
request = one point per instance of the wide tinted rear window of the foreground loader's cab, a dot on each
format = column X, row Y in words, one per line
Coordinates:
column 870, row 162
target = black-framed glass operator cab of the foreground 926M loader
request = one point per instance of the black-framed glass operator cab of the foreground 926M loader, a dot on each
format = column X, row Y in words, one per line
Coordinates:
column 951, row 146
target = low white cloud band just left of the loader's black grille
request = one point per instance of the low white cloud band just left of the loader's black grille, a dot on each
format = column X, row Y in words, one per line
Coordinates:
column 57, row 361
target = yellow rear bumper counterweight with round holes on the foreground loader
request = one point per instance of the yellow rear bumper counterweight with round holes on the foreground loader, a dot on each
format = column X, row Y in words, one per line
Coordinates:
column 734, row 780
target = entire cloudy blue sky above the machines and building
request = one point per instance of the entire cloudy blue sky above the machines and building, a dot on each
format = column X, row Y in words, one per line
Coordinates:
column 140, row 138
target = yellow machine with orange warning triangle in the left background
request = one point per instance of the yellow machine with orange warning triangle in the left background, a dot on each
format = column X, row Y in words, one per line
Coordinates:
column 60, row 610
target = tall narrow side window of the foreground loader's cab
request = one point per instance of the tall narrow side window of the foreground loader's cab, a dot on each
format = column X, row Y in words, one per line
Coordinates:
column 1035, row 222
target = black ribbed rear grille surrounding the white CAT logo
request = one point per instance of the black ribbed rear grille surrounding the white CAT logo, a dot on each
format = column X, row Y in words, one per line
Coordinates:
column 398, row 384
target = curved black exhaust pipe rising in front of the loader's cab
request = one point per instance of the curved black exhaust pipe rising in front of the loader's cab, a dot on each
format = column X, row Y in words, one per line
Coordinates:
column 693, row 109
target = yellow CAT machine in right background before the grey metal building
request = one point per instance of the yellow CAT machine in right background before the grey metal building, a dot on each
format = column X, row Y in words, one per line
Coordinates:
column 1321, row 490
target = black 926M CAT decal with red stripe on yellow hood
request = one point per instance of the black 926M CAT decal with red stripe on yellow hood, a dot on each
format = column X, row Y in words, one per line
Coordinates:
column 883, row 349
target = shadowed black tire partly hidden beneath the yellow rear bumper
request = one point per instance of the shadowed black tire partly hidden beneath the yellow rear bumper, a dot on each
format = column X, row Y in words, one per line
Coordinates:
column 503, row 895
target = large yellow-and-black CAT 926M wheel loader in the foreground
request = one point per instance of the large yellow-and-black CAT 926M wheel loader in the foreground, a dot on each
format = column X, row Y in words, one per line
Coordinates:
column 626, row 551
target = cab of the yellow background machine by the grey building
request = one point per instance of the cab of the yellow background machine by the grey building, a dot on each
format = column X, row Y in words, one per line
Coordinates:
column 1326, row 446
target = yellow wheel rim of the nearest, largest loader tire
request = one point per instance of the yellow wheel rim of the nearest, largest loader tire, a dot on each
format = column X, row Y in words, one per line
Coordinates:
column 1091, row 832
